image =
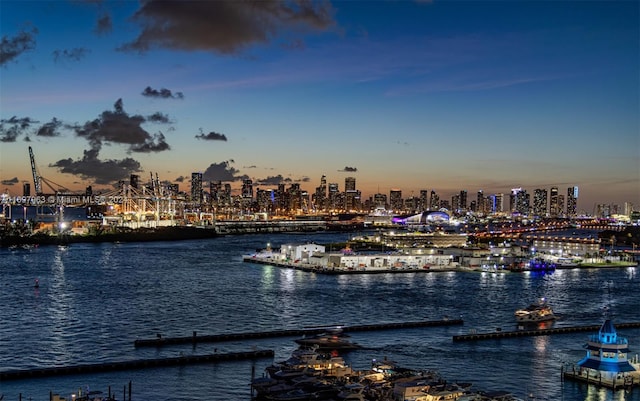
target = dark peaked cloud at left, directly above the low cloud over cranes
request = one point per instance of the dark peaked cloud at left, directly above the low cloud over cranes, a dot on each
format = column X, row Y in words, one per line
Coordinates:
column 119, row 127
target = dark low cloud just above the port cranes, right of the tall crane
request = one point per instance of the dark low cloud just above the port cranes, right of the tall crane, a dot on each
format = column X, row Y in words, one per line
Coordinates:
column 90, row 167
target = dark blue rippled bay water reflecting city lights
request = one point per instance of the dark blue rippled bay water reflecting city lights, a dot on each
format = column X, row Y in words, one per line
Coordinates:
column 94, row 300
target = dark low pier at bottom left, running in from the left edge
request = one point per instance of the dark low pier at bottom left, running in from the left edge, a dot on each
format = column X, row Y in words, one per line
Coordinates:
column 134, row 364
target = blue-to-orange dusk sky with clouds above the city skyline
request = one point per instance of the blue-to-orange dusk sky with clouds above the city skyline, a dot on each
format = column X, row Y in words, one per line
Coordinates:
column 409, row 95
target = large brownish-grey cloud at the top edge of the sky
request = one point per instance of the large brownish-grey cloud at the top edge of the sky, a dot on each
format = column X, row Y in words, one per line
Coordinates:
column 225, row 27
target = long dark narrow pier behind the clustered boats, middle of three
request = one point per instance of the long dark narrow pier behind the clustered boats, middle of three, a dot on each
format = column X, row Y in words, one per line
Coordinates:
column 195, row 338
